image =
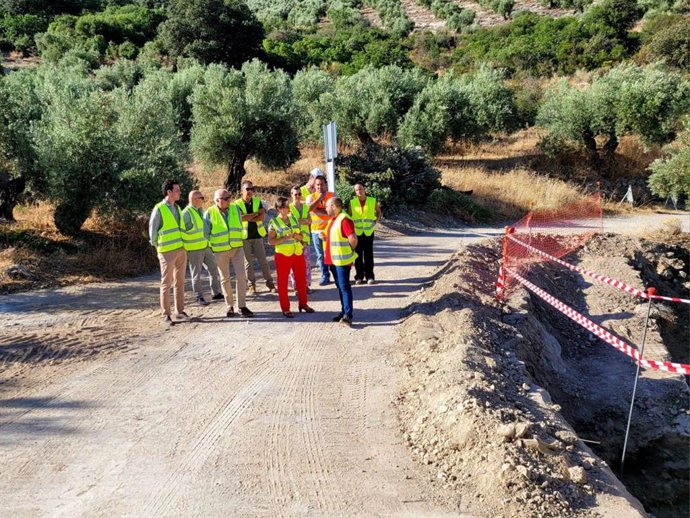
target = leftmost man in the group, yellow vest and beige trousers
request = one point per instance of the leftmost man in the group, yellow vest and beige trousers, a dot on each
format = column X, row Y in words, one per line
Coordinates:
column 165, row 233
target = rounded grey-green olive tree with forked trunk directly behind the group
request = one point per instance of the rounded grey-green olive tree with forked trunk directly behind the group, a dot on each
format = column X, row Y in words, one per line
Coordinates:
column 242, row 114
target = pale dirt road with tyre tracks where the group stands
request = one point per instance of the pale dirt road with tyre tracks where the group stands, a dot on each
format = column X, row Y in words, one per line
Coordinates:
column 259, row 417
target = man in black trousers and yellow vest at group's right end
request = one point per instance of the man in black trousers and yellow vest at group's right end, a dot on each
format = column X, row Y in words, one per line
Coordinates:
column 366, row 213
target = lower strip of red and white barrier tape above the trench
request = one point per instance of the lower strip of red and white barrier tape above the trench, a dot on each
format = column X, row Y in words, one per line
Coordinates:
column 600, row 331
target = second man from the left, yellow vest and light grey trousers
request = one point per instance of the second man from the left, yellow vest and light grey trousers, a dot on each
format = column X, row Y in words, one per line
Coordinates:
column 198, row 251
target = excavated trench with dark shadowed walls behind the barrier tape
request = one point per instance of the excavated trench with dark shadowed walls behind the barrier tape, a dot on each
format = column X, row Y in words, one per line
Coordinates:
column 593, row 381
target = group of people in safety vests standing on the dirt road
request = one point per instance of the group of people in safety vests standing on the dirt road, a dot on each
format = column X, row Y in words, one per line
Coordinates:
column 231, row 234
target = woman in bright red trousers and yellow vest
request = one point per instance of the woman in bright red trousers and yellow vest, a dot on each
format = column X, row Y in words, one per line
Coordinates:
column 285, row 234
